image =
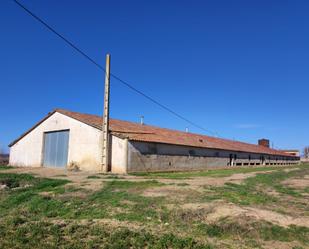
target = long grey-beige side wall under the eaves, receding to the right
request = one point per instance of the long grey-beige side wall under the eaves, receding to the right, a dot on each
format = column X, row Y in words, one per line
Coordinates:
column 145, row 157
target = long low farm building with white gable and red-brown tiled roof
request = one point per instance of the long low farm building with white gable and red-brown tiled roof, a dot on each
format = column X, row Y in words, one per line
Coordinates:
column 66, row 139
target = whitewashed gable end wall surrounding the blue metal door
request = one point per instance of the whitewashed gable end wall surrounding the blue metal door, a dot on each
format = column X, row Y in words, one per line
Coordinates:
column 84, row 144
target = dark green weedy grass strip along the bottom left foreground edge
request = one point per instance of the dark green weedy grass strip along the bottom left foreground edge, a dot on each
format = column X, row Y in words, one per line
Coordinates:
column 19, row 233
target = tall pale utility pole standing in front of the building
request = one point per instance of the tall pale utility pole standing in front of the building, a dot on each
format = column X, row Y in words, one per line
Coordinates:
column 105, row 125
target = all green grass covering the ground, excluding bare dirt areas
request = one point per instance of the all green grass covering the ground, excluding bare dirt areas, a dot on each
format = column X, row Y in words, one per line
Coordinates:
column 38, row 212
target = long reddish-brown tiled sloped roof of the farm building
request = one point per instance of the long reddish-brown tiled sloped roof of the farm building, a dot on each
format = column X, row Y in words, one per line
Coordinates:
column 147, row 133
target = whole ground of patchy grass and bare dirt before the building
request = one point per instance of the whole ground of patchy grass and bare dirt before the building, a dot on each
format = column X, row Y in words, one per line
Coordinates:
column 264, row 207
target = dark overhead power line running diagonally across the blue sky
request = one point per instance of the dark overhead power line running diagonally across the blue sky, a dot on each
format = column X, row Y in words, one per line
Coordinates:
column 71, row 44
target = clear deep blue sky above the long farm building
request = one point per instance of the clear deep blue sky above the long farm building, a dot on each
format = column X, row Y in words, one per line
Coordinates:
column 240, row 68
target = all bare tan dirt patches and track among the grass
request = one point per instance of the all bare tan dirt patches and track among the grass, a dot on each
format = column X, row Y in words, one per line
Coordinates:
column 183, row 198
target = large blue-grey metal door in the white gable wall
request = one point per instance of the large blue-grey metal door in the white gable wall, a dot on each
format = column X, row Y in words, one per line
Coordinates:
column 56, row 149
